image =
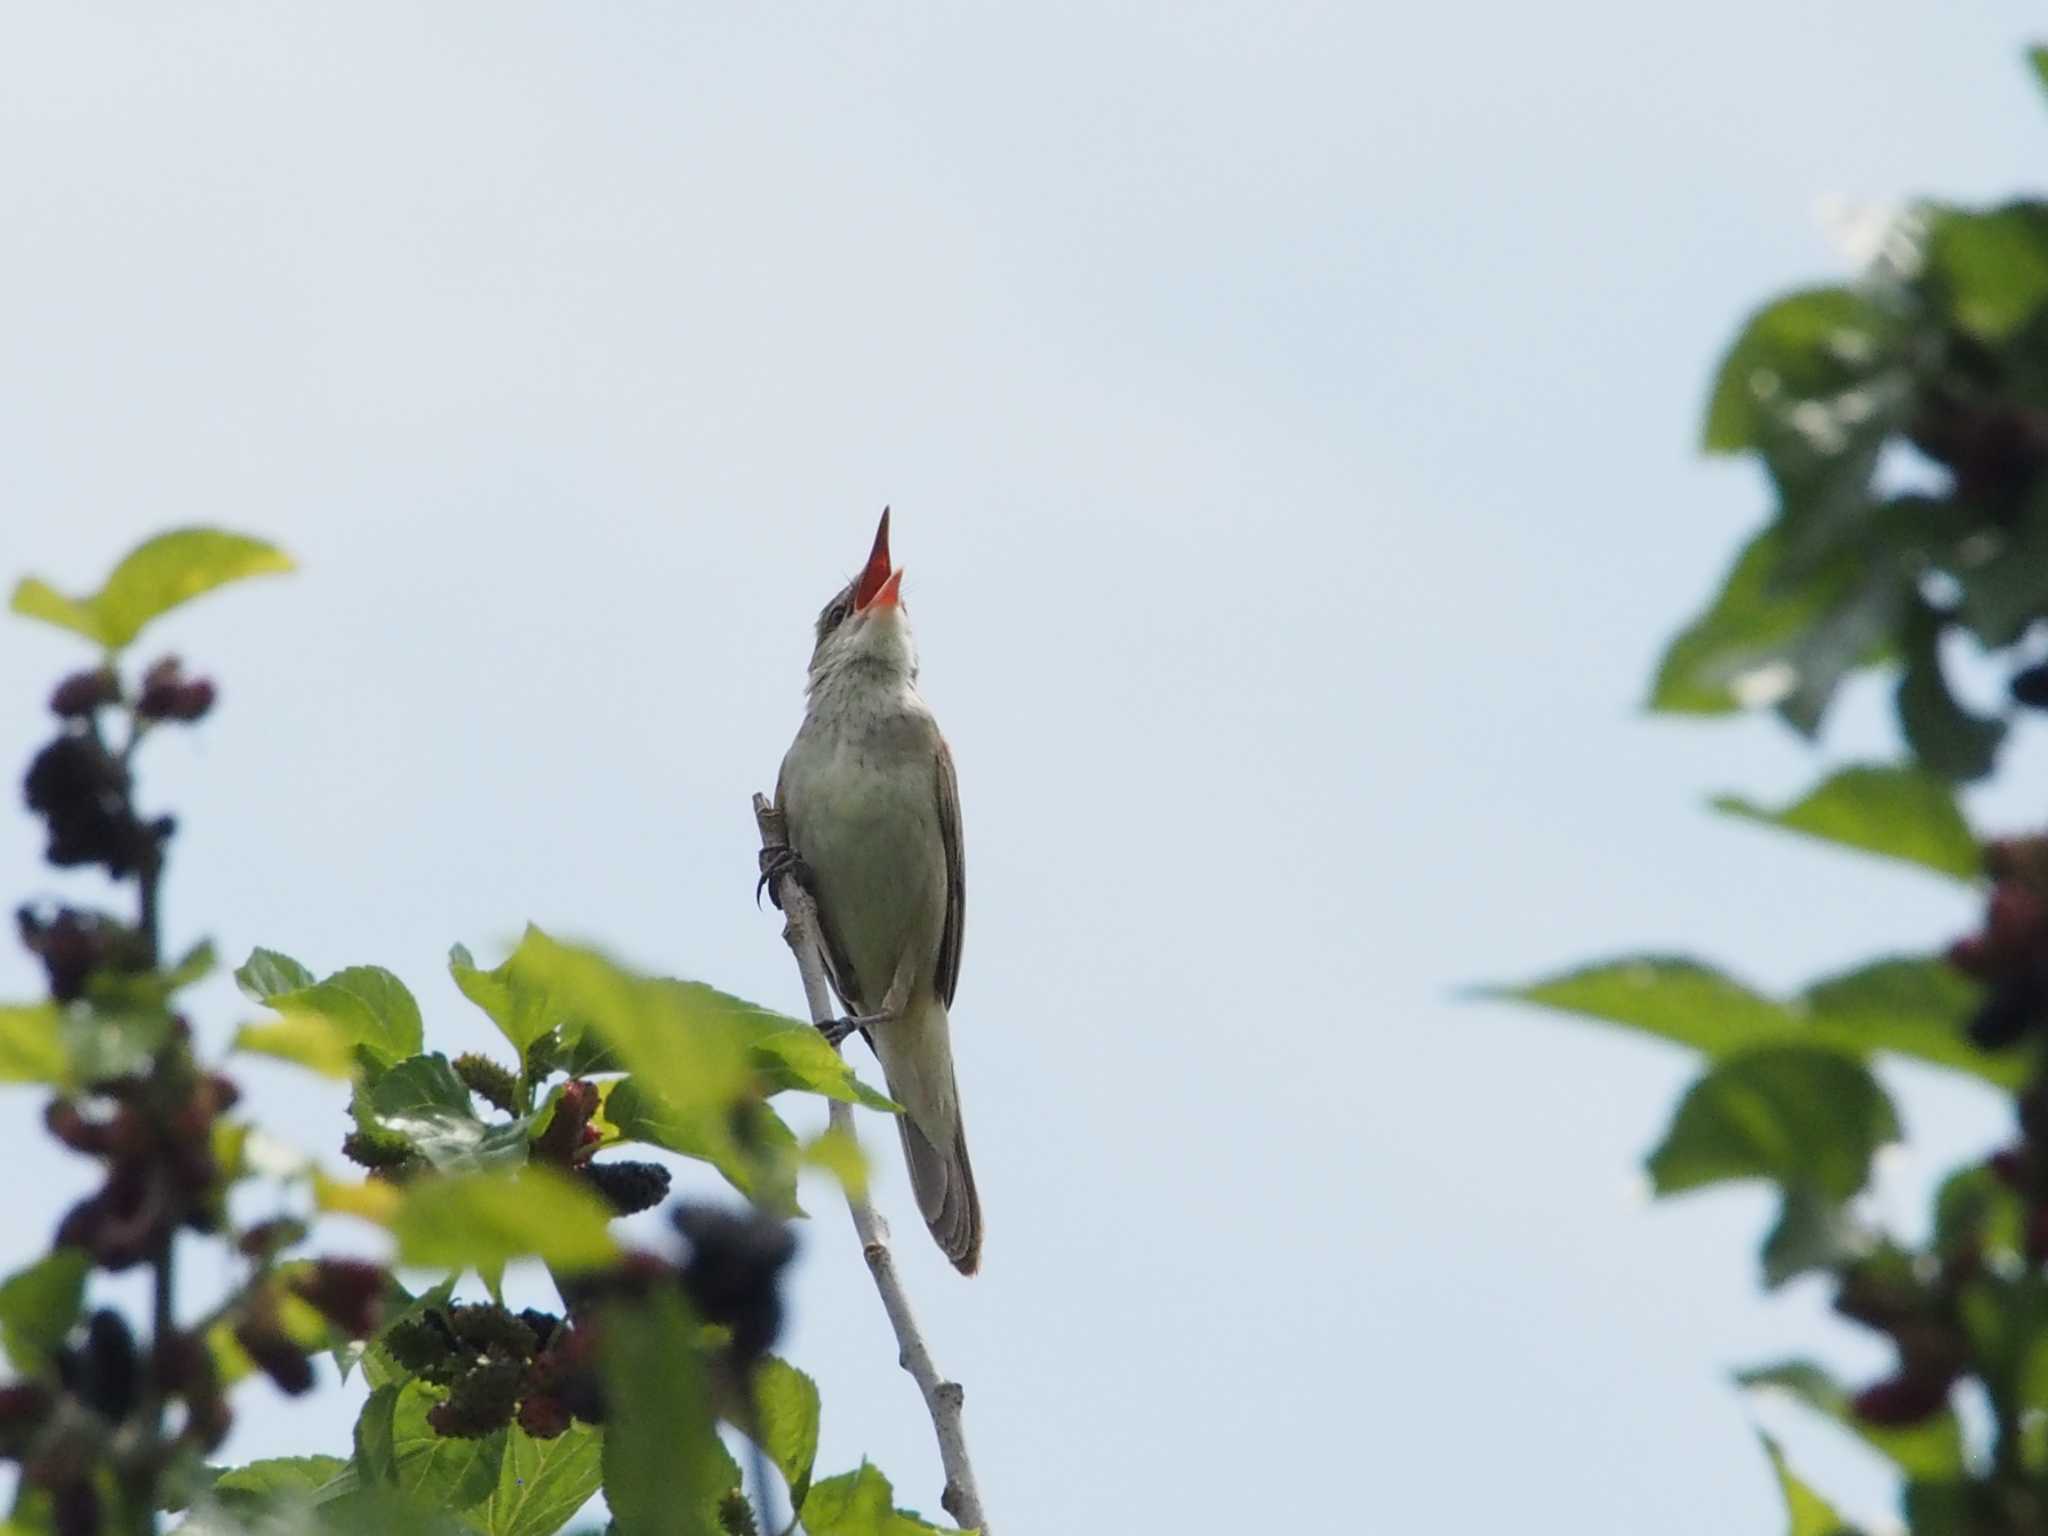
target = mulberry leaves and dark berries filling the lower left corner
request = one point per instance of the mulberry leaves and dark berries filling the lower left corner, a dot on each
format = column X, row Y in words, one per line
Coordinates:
column 480, row 1418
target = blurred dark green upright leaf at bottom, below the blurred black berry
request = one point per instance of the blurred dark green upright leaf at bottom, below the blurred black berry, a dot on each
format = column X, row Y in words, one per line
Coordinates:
column 665, row 1465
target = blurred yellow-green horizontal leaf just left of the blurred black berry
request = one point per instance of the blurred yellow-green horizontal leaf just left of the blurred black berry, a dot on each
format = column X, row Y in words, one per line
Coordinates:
column 478, row 1220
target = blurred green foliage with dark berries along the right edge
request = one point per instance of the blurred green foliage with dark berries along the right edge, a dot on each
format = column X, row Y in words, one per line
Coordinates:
column 1902, row 423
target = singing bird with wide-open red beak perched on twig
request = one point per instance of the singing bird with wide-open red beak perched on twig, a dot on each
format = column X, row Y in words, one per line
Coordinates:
column 873, row 816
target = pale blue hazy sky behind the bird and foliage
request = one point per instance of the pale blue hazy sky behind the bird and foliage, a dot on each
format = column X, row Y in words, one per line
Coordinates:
column 1289, row 419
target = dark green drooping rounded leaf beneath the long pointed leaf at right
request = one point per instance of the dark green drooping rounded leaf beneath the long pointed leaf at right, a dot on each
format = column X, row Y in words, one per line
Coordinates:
column 1793, row 1115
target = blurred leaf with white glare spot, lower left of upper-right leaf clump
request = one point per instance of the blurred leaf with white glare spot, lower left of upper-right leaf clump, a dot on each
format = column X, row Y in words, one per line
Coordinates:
column 1773, row 642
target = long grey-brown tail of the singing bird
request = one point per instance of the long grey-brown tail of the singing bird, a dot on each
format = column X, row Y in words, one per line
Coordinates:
column 919, row 1066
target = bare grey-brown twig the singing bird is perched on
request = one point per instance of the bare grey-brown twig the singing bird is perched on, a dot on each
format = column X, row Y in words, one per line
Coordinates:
column 941, row 1398
